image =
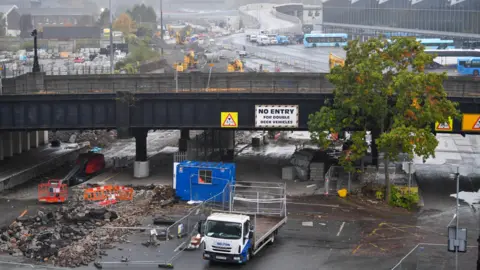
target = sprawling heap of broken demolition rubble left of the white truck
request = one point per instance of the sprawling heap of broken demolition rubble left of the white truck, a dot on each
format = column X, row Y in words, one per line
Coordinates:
column 72, row 235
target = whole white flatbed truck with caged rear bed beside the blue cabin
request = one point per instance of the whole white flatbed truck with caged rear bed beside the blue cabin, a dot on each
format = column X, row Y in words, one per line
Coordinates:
column 237, row 236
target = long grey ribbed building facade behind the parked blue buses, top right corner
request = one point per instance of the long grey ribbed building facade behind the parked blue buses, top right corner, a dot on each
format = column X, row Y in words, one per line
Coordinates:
column 458, row 16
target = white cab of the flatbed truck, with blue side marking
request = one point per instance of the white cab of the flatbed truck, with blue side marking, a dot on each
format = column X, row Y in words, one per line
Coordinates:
column 228, row 238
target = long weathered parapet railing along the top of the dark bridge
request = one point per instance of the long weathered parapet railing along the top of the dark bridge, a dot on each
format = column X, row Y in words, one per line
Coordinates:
column 197, row 82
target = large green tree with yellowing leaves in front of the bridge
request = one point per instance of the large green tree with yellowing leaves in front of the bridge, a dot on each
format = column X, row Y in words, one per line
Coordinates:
column 383, row 88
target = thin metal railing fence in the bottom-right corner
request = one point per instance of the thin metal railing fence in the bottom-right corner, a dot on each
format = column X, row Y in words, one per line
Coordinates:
column 426, row 256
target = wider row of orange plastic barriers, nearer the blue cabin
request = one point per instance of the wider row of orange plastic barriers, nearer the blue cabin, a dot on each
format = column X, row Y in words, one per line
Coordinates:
column 106, row 193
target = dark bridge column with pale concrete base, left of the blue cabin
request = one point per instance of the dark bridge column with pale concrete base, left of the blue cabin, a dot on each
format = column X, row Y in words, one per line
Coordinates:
column 141, row 167
